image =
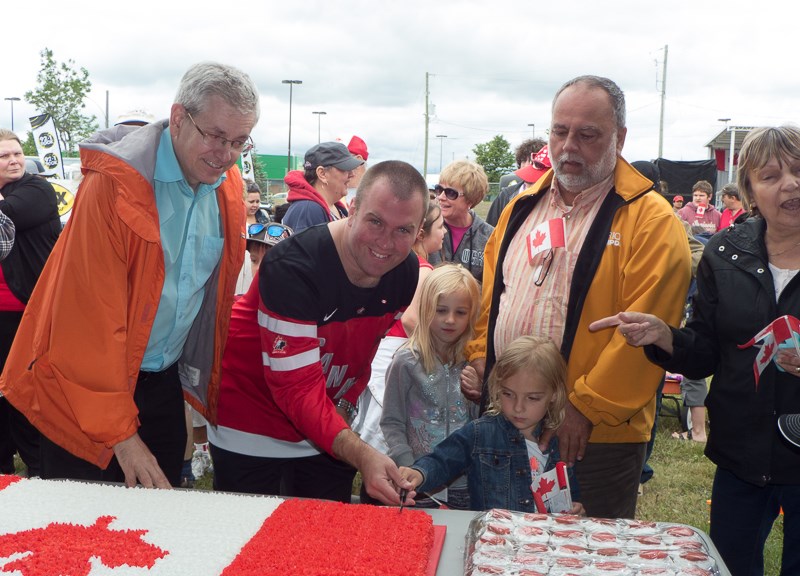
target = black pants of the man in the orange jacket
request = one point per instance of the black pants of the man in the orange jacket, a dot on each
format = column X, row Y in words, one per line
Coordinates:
column 159, row 398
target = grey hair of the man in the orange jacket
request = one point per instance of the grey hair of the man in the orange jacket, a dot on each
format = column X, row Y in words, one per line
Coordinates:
column 207, row 79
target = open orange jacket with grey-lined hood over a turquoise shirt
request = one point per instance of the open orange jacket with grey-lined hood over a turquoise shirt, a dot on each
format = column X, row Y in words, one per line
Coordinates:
column 73, row 367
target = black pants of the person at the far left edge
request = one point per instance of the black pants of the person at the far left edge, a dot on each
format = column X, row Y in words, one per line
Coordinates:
column 16, row 433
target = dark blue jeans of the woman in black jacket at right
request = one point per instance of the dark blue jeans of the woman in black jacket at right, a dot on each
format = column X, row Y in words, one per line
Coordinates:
column 742, row 515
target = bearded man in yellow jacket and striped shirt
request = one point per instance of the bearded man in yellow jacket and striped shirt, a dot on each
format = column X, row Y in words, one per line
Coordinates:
column 590, row 238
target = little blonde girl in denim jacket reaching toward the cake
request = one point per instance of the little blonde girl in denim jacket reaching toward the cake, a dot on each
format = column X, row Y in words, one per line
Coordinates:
column 499, row 452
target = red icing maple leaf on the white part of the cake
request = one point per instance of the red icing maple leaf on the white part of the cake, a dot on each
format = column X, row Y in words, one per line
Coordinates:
column 66, row 549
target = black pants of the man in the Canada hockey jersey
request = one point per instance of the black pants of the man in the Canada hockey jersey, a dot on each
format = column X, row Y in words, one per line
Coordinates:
column 321, row 476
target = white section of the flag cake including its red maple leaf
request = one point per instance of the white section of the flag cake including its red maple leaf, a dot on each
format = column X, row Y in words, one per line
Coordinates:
column 52, row 527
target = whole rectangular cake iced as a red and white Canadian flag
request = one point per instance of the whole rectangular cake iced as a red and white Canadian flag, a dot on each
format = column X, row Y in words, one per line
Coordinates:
column 57, row 527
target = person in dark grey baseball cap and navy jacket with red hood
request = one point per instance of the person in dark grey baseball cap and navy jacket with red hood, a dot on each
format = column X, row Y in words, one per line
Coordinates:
column 316, row 192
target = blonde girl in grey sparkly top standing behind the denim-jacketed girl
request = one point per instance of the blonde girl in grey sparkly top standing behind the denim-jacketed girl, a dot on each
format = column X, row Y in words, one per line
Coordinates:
column 423, row 403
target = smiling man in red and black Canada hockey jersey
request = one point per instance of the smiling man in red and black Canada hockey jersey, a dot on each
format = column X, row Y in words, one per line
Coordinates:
column 301, row 343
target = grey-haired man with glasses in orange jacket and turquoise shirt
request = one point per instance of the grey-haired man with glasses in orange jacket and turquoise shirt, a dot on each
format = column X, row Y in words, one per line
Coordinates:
column 134, row 303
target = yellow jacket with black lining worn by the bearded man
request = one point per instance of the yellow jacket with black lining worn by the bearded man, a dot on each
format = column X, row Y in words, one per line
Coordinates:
column 635, row 257
